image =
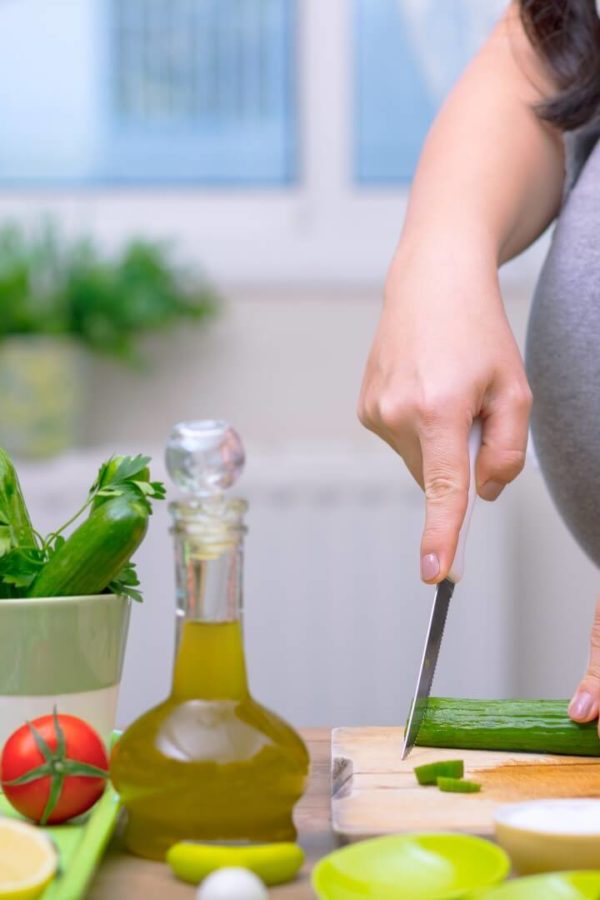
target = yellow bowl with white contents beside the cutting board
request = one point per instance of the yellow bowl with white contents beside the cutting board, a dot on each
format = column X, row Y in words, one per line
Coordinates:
column 550, row 835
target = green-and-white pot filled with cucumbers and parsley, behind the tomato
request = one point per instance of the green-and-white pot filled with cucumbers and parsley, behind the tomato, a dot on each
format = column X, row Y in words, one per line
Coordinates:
column 65, row 597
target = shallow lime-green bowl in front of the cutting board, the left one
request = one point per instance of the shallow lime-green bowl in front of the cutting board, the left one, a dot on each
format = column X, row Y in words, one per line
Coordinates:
column 411, row 867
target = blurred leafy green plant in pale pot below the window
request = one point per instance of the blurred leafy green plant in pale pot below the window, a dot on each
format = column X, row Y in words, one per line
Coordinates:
column 60, row 300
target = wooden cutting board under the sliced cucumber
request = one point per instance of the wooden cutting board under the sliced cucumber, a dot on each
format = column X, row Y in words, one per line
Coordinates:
column 375, row 792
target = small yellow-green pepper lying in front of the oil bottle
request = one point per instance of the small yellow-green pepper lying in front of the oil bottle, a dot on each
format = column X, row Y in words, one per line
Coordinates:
column 274, row 863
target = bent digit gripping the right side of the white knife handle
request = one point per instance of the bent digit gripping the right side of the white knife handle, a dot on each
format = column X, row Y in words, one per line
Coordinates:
column 504, row 442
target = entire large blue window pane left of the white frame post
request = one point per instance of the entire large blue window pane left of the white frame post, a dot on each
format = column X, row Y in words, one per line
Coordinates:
column 148, row 90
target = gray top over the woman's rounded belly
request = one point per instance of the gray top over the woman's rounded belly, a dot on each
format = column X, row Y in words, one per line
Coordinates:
column 563, row 349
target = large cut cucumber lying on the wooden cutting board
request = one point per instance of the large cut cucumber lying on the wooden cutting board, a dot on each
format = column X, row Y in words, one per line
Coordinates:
column 535, row 726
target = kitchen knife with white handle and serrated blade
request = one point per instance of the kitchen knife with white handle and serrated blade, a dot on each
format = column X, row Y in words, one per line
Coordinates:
column 441, row 603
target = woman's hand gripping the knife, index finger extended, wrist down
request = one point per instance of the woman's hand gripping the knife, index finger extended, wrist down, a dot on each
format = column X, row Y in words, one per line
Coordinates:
column 444, row 354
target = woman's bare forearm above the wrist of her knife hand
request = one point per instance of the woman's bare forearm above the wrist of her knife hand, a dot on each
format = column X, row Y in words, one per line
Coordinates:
column 491, row 173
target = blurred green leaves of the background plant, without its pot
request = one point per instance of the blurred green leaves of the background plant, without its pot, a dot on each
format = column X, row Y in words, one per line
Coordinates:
column 52, row 285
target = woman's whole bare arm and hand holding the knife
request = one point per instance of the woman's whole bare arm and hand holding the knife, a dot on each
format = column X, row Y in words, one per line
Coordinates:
column 488, row 183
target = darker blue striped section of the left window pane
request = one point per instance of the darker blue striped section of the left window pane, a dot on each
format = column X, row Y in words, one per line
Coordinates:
column 201, row 89
